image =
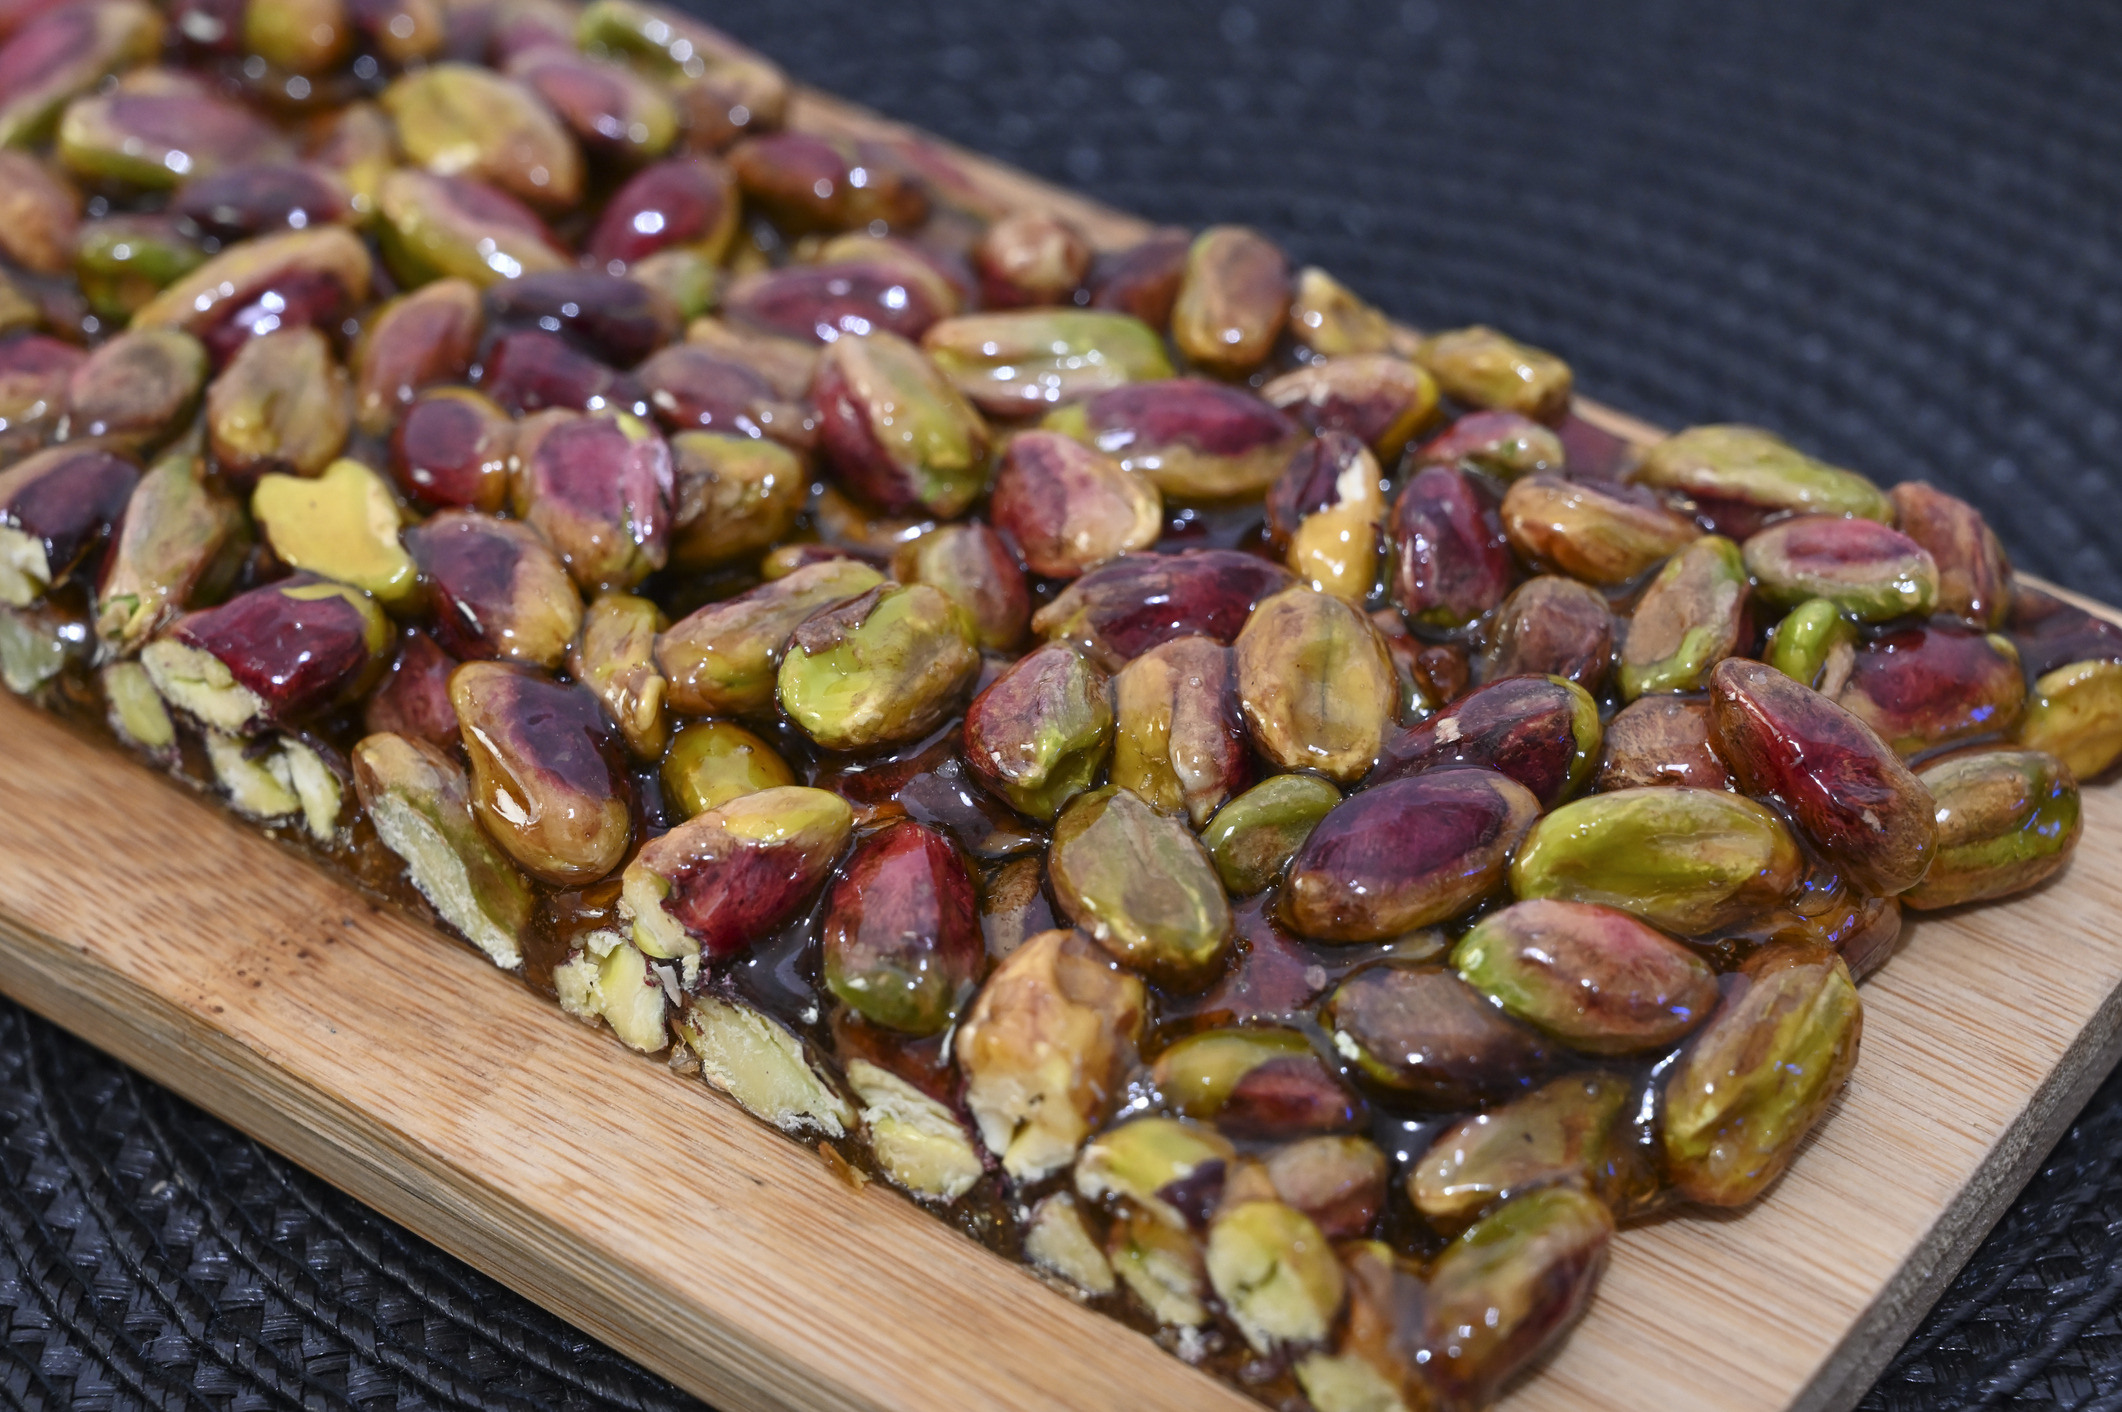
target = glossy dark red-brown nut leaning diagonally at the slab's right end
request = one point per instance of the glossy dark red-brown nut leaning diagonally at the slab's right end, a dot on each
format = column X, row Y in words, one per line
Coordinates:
column 1845, row 789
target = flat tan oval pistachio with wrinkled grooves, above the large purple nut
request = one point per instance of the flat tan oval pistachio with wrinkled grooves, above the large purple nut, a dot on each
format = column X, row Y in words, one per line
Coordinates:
column 1315, row 683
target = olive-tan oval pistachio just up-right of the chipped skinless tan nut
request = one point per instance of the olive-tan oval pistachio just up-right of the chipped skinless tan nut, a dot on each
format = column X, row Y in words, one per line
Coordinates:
column 1143, row 886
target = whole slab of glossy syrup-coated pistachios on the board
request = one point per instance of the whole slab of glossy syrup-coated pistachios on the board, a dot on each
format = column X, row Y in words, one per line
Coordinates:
column 1268, row 819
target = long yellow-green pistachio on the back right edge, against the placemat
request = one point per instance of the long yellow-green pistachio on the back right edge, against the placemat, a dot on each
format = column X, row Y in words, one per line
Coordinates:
column 1745, row 466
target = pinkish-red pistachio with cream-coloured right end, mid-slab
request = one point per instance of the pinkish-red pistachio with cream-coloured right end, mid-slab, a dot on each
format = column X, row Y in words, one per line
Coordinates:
column 1071, row 509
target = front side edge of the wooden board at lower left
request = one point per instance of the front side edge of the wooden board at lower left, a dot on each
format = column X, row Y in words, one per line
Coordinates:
column 375, row 1165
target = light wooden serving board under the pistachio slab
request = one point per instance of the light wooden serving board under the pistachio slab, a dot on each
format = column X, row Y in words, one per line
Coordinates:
column 650, row 1211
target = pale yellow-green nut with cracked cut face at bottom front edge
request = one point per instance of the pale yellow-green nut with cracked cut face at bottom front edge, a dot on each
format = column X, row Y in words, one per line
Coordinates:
column 1276, row 1275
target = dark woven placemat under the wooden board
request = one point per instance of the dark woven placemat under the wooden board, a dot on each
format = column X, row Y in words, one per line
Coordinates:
column 1892, row 230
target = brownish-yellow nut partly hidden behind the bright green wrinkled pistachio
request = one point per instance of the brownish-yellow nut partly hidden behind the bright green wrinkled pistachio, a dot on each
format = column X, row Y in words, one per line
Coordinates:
column 723, row 659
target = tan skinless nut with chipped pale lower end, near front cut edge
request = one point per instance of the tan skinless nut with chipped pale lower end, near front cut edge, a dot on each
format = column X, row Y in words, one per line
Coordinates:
column 1045, row 1050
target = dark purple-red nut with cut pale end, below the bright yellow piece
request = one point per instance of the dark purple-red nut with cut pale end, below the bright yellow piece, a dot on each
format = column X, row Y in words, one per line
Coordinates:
column 273, row 655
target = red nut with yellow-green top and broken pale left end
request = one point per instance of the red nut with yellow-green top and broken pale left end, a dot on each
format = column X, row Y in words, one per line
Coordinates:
column 729, row 878
